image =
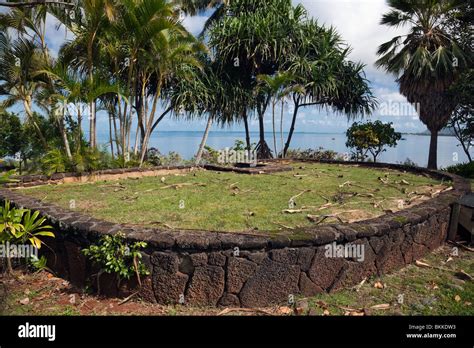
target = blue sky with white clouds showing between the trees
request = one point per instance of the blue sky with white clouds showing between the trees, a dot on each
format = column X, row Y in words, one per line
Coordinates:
column 358, row 23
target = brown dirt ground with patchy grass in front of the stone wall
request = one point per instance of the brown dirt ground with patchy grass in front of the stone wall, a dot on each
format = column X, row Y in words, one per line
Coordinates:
column 439, row 284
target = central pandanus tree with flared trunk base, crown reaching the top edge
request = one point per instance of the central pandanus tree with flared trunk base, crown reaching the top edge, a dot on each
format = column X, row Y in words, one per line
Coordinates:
column 251, row 40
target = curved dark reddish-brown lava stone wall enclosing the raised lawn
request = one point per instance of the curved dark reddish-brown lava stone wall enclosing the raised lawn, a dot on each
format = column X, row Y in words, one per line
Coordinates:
column 232, row 269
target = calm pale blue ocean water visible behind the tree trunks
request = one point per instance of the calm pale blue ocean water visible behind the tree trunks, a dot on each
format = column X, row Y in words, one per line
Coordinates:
column 413, row 147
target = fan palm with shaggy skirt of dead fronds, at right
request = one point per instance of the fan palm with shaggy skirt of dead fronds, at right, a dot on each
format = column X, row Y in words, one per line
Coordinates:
column 426, row 61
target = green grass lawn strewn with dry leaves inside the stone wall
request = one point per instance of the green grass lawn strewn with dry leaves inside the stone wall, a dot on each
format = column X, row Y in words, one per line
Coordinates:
column 239, row 202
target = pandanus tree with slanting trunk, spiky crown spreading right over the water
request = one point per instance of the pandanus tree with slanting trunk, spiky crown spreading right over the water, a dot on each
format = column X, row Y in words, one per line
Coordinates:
column 324, row 77
